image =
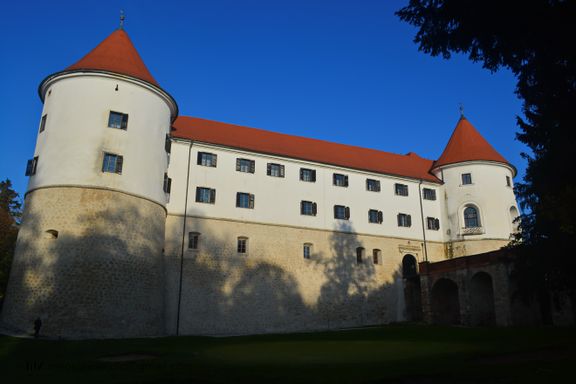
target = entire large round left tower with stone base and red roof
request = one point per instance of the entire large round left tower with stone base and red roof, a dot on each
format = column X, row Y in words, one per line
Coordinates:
column 89, row 254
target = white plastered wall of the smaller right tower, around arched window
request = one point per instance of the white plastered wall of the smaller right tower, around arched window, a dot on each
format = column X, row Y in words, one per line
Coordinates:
column 488, row 192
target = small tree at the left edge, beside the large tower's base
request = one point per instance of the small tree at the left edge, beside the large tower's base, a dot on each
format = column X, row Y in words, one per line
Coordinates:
column 9, row 214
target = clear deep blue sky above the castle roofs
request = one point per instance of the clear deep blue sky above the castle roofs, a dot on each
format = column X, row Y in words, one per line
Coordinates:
column 339, row 70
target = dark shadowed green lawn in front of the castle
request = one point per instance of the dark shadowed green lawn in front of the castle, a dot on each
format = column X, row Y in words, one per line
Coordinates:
column 396, row 353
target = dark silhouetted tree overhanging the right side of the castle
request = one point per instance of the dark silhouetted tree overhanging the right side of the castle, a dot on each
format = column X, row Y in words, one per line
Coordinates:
column 530, row 38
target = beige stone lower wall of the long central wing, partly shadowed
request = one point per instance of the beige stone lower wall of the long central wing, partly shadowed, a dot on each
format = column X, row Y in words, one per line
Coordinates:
column 273, row 288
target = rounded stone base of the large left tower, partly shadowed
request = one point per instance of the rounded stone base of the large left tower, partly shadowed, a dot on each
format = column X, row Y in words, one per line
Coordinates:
column 102, row 276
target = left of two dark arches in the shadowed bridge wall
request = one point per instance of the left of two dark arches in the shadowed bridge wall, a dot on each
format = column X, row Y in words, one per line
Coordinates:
column 445, row 302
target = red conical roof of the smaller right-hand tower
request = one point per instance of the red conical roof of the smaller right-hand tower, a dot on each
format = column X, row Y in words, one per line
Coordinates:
column 466, row 144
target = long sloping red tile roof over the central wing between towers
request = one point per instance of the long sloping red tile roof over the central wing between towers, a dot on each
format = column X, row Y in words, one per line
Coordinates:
column 257, row 140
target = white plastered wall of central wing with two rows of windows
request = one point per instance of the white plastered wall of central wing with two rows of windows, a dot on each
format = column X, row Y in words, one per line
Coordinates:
column 277, row 200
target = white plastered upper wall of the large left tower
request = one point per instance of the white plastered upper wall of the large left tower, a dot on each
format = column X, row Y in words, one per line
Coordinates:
column 70, row 149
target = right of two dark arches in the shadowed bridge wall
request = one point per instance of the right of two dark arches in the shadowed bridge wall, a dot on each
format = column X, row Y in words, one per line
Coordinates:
column 482, row 300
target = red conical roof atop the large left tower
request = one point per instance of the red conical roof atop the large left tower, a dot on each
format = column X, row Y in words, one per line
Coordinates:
column 116, row 54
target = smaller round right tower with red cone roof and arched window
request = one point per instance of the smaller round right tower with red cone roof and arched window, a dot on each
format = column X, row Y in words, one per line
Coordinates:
column 480, row 204
